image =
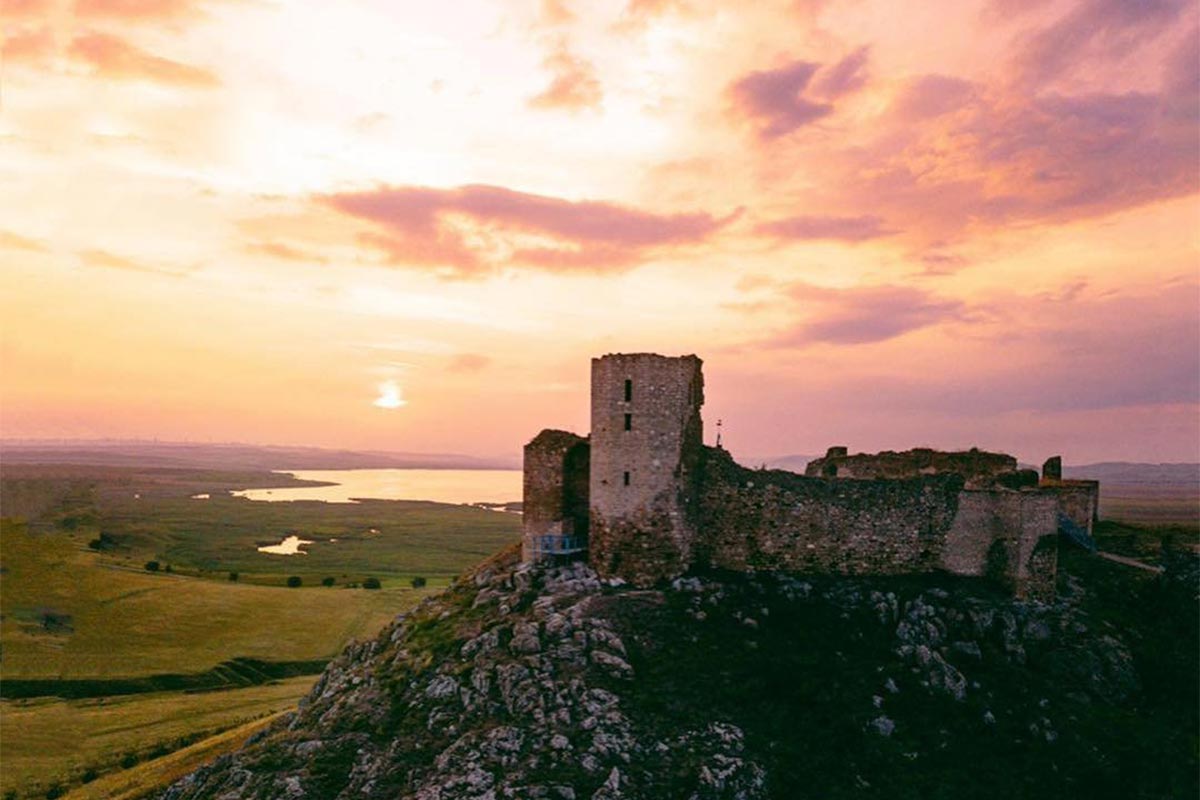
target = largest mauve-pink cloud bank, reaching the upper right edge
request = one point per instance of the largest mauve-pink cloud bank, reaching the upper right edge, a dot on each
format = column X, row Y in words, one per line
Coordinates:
column 951, row 155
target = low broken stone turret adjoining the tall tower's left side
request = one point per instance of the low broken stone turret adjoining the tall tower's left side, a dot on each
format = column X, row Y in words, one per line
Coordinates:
column 556, row 485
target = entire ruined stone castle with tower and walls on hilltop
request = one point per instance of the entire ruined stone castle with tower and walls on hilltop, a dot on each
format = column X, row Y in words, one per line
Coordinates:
column 647, row 501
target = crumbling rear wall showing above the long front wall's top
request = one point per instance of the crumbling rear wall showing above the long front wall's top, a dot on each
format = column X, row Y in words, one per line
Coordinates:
column 977, row 467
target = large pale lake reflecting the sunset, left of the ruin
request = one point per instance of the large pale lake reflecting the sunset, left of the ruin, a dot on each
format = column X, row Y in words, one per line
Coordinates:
column 436, row 485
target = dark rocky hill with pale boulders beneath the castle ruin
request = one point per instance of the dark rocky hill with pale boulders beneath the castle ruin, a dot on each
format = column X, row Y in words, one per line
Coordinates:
column 548, row 683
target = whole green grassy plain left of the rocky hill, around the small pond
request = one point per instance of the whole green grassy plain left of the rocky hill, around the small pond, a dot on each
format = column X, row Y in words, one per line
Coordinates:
column 81, row 609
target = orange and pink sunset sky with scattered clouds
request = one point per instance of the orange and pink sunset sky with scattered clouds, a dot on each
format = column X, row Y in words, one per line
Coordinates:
column 410, row 226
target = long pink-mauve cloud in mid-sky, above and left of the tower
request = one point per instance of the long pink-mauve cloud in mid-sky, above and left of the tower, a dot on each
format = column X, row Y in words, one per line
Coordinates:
column 476, row 230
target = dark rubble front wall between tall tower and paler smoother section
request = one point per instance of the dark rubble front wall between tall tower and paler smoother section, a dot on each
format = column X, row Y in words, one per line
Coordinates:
column 773, row 520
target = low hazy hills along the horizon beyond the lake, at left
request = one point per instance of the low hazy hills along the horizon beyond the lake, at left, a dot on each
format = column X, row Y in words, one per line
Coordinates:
column 231, row 456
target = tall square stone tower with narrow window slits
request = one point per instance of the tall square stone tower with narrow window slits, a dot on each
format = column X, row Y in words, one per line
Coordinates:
column 646, row 443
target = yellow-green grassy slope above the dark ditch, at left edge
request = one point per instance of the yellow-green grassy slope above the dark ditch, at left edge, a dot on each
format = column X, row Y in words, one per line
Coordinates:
column 122, row 623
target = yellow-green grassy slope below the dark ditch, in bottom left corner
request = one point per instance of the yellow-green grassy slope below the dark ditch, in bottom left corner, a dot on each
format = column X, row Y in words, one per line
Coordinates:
column 51, row 742
